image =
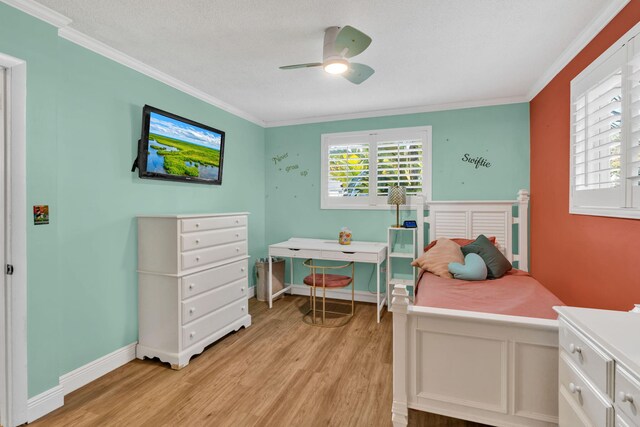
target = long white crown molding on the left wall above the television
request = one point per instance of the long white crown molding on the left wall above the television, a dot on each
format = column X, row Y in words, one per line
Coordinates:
column 100, row 48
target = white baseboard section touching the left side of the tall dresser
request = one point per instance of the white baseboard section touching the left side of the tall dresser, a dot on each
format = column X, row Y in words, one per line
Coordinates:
column 93, row 370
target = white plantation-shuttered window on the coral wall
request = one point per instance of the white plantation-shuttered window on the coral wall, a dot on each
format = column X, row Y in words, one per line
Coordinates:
column 605, row 133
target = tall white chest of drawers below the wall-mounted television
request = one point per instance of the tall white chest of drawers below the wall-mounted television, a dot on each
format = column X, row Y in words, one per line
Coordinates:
column 192, row 283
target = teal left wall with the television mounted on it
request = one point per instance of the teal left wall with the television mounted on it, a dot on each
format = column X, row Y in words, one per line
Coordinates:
column 84, row 116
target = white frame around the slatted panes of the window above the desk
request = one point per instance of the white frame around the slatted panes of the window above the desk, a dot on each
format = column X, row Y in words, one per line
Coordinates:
column 372, row 138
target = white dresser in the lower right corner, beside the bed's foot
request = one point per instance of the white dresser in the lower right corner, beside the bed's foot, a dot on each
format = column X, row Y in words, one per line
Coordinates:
column 599, row 369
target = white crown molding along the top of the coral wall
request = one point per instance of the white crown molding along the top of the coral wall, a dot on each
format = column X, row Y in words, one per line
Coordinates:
column 588, row 33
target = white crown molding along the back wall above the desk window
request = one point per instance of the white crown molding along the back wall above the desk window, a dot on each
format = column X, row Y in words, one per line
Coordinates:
column 398, row 111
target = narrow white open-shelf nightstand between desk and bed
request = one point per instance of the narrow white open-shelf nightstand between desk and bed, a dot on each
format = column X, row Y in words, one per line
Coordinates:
column 402, row 250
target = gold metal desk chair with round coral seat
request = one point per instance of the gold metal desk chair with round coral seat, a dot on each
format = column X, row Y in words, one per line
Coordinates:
column 319, row 278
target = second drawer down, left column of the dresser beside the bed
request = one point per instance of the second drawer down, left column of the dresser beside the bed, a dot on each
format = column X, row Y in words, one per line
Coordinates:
column 584, row 394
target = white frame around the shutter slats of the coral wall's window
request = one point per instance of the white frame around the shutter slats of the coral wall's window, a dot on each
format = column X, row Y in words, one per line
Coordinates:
column 630, row 42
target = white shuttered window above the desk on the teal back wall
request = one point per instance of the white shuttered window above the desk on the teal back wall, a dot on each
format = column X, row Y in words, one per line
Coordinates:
column 359, row 167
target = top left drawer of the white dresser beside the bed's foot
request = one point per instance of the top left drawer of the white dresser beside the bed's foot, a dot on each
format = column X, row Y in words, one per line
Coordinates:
column 593, row 362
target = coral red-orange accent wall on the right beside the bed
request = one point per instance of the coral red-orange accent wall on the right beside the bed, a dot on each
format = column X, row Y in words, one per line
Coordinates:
column 585, row 260
